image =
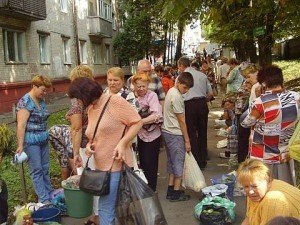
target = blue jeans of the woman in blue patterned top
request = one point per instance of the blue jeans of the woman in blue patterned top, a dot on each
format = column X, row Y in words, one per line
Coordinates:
column 38, row 160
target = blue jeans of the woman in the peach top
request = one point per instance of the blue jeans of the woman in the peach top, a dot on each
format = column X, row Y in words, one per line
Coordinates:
column 107, row 204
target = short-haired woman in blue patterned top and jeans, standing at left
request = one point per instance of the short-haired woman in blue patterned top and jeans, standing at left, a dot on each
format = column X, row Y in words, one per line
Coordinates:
column 32, row 115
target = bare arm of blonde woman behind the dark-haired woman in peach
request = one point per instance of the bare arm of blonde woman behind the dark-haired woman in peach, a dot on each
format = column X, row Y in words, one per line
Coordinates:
column 76, row 134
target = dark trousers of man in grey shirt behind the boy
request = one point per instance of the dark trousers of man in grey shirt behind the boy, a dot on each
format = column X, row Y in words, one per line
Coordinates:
column 196, row 118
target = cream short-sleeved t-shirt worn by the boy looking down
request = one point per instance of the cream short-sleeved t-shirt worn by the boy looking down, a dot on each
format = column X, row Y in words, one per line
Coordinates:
column 174, row 104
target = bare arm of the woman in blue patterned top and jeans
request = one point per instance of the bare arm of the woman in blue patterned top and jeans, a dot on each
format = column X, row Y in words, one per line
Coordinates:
column 22, row 118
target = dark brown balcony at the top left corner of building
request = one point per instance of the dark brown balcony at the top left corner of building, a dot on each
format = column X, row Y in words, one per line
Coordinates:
column 32, row 10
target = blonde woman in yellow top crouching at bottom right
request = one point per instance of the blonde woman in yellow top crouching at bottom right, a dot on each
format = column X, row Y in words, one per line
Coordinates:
column 266, row 198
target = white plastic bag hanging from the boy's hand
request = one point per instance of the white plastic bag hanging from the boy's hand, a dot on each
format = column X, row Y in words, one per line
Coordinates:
column 192, row 176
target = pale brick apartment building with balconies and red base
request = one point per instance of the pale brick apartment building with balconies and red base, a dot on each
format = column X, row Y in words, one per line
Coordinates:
column 51, row 37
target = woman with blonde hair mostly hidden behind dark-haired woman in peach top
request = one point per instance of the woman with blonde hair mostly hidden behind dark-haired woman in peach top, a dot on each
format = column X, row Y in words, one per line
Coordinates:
column 70, row 141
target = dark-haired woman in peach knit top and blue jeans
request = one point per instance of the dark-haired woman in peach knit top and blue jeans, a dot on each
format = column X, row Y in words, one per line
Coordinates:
column 109, row 147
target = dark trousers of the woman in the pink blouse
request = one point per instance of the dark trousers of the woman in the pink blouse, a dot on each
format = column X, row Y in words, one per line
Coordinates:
column 148, row 156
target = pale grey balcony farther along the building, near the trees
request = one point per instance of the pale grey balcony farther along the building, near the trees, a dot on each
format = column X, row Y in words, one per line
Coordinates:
column 99, row 27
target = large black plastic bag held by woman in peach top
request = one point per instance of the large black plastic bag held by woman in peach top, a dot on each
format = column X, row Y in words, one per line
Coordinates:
column 137, row 204
